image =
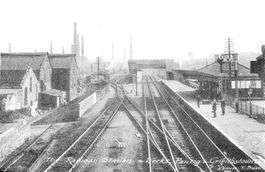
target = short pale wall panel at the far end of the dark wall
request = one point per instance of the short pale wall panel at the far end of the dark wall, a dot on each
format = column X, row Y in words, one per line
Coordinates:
column 87, row 103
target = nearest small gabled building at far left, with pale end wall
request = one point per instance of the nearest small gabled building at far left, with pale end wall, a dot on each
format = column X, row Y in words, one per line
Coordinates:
column 18, row 89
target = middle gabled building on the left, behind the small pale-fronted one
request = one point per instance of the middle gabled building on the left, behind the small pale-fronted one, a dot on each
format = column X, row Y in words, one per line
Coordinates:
column 39, row 62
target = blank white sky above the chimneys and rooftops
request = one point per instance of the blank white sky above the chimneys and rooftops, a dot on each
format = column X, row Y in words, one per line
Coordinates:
column 178, row 29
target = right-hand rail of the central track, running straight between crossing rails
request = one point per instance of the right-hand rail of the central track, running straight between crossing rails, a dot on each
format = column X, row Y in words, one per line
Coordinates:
column 162, row 126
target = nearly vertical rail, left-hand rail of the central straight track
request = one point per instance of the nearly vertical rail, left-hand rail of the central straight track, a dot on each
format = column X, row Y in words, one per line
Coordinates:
column 147, row 129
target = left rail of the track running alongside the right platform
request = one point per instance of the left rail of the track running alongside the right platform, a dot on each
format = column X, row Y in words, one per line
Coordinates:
column 186, row 132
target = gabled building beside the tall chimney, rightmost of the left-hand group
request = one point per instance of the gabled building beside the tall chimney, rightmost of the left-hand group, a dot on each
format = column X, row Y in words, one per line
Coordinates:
column 65, row 74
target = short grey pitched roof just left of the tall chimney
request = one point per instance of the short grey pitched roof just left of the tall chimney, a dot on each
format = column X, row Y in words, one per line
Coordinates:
column 63, row 61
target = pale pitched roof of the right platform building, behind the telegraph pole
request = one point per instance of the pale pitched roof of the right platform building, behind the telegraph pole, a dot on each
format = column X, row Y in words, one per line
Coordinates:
column 214, row 69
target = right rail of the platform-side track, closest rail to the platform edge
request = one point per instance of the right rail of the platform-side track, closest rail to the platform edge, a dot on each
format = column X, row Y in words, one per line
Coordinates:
column 205, row 134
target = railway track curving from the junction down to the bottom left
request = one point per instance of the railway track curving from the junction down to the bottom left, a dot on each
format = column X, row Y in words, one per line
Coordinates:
column 74, row 154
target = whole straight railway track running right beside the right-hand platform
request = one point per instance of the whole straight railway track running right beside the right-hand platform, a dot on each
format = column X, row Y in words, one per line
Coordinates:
column 216, row 157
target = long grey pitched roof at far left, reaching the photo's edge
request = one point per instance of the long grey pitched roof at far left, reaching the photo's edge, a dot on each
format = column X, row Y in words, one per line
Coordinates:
column 20, row 61
